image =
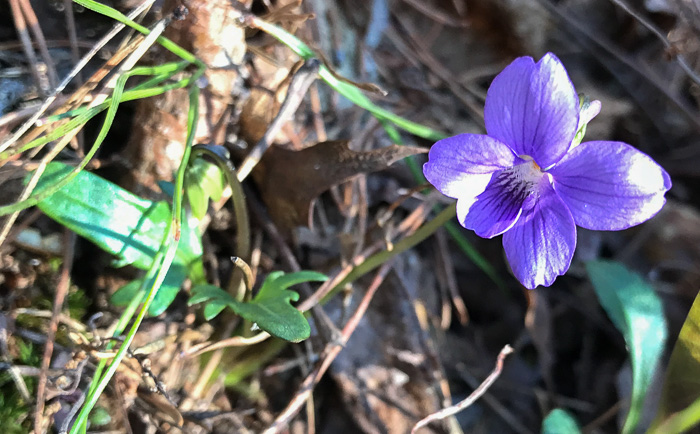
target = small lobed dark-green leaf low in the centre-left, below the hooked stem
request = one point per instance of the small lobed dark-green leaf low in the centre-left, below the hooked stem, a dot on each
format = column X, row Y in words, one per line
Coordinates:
column 270, row 309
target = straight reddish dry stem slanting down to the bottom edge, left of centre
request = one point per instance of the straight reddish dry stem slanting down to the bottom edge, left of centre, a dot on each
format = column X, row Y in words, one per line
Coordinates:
column 330, row 353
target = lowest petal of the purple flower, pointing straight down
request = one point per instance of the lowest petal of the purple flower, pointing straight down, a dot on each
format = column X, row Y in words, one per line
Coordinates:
column 540, row 246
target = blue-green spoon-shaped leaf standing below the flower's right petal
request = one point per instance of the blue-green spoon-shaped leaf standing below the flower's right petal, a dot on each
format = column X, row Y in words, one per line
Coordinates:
column 636, row 311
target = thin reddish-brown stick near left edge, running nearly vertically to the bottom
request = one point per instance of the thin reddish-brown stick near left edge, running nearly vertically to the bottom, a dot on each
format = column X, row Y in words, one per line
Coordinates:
column 61, row 291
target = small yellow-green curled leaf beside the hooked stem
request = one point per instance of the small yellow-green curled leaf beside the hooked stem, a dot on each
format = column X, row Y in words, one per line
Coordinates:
column 203, row 181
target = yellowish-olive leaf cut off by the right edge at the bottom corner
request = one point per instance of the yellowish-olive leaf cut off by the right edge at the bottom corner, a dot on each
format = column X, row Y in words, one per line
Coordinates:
column 679, row 409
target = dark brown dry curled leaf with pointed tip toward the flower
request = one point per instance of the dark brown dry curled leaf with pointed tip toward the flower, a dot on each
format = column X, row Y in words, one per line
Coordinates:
column 290, row 181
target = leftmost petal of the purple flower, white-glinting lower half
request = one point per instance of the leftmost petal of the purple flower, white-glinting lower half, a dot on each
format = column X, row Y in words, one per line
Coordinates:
column 461, row 166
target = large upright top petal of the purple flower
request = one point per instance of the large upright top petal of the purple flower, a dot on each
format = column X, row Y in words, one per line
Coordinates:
column 533, row 108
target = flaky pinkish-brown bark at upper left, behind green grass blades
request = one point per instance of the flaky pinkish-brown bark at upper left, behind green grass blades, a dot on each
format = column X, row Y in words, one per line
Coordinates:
column 211, row 33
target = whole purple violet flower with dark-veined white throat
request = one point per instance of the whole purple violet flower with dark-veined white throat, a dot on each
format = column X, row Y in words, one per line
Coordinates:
column 530, row 179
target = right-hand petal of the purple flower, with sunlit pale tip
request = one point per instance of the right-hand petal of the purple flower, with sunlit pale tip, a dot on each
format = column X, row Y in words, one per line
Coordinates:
column 610, row 185
